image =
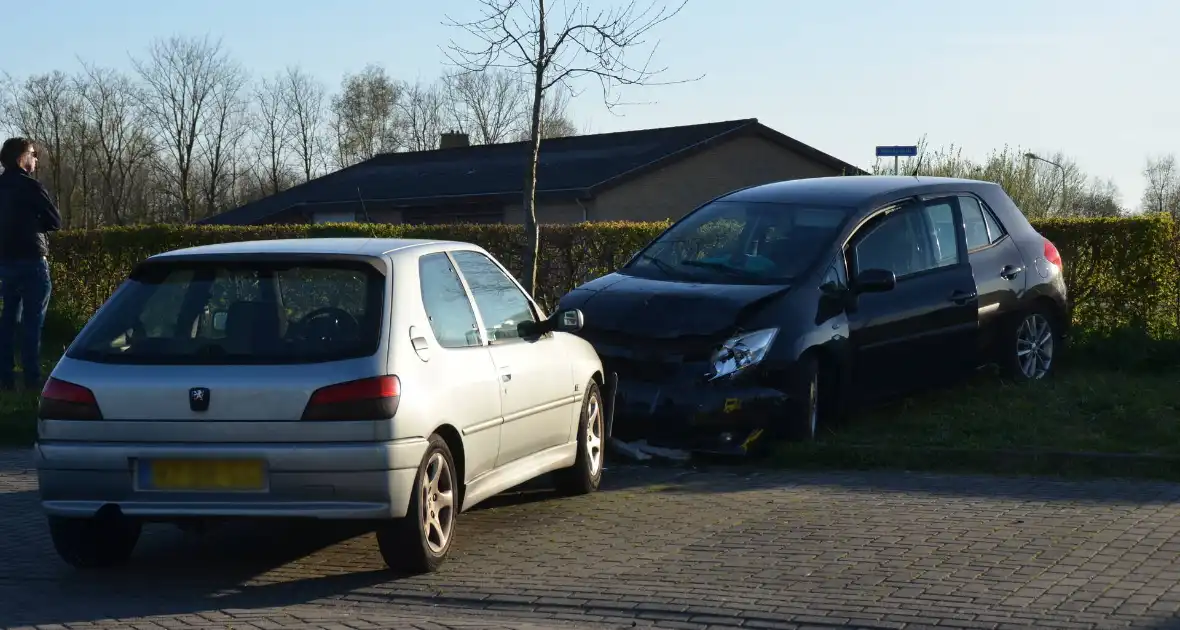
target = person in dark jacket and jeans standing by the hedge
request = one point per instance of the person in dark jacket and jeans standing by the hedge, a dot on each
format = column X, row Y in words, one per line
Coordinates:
column 27, row 216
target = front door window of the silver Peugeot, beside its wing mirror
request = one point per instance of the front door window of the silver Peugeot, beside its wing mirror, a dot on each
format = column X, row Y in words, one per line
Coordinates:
column 501, row 303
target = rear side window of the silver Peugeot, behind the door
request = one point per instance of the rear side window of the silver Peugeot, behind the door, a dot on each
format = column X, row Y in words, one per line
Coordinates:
column 447, row 304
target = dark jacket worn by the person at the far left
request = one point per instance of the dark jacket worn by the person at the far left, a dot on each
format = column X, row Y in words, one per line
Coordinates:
column 27, row 216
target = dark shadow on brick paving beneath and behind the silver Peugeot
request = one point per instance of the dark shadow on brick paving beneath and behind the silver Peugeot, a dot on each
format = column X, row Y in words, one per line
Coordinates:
column 245, row 565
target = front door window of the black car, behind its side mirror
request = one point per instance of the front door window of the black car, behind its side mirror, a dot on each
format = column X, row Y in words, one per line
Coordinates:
column 913, row 240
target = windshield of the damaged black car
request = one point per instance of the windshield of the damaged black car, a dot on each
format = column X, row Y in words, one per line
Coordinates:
column 742, row 242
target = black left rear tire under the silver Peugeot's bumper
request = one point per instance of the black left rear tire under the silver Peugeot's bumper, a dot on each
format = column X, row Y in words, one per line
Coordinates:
column 99, row 542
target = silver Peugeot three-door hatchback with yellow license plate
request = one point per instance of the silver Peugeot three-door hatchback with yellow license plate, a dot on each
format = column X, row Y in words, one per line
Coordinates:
column 392, row 380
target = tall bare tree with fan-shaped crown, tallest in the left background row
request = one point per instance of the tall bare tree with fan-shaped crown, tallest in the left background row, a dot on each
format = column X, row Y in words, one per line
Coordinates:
column 185, row 83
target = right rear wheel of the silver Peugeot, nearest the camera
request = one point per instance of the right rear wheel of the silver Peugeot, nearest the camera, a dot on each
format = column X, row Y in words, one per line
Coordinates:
column 419, row 543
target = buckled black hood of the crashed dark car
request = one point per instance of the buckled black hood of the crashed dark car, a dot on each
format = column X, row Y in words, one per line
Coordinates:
column 664, row 310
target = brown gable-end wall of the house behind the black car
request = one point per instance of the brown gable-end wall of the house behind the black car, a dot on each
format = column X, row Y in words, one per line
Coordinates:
column 681, row 187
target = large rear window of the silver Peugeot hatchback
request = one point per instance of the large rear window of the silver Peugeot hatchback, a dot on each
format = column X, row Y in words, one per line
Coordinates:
column 239, row 312
